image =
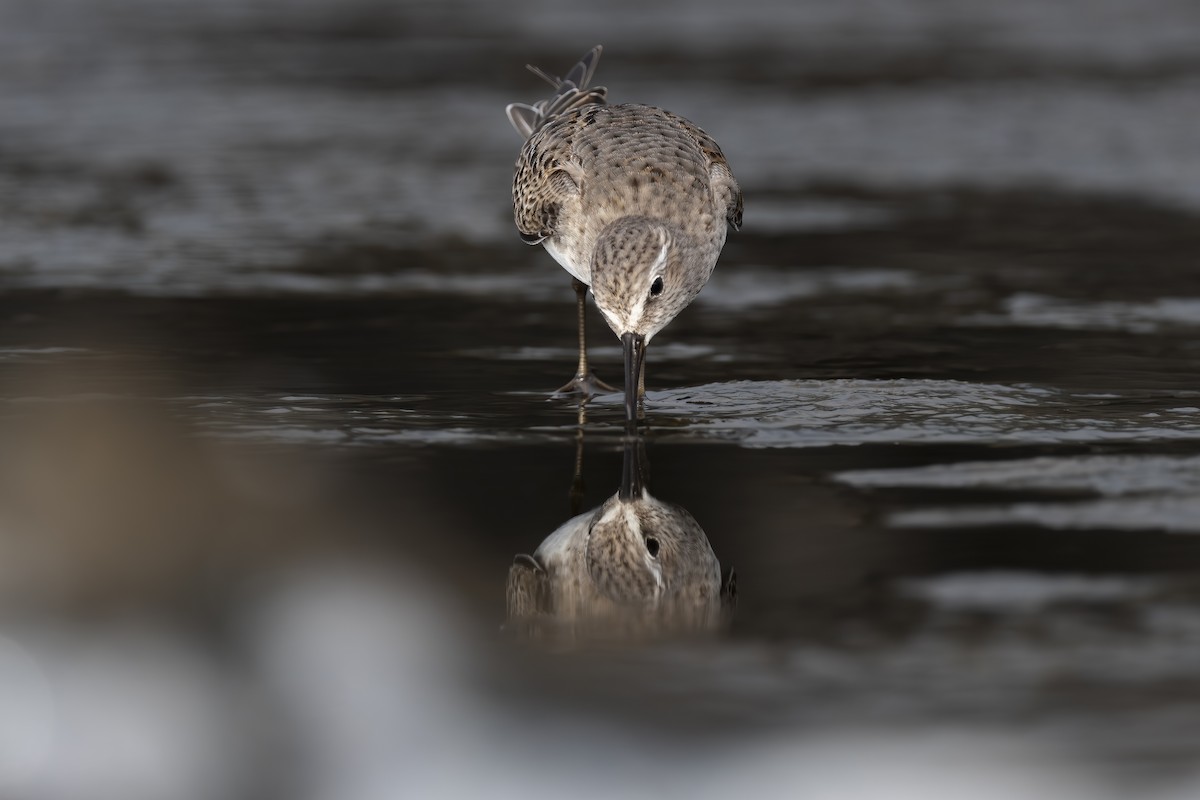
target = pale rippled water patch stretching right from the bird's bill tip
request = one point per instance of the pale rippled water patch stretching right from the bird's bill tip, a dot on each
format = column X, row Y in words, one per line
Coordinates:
column 824, row 413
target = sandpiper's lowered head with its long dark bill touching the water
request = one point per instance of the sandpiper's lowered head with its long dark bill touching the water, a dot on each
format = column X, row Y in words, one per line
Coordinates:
column 644, row 273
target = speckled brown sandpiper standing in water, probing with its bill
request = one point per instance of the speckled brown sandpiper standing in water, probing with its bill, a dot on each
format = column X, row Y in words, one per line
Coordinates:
column 633, row 201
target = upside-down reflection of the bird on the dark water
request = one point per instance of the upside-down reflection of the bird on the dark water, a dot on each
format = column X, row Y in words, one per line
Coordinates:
column 635, row 567
